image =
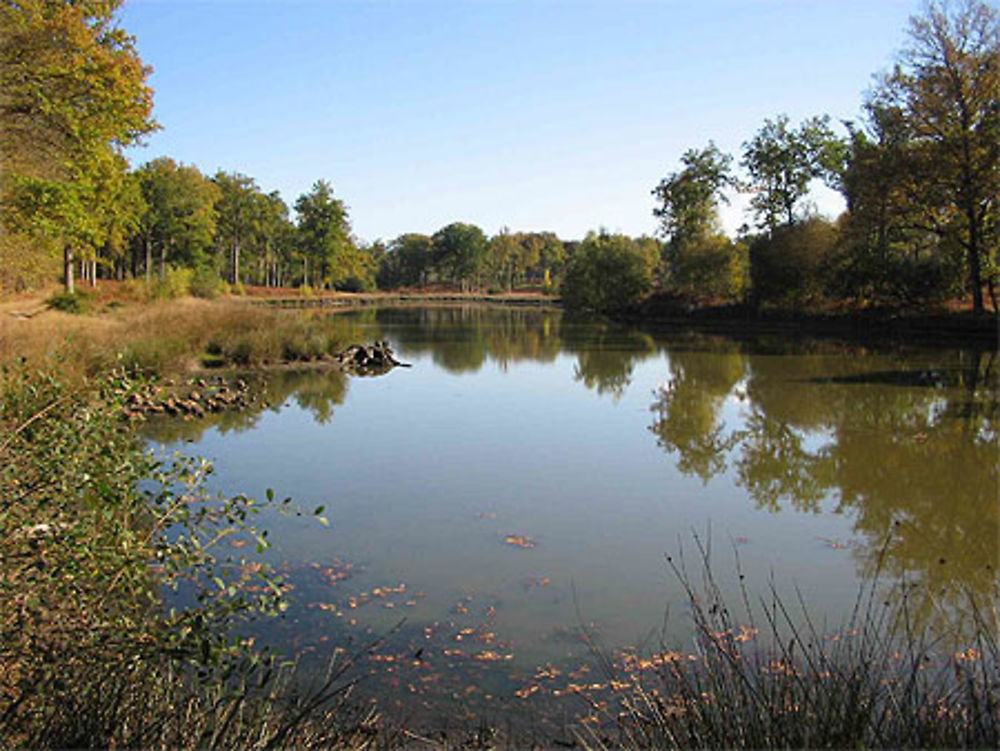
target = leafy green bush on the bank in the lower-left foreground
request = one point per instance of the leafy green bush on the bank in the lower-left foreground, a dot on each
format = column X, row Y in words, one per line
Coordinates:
column 93, row 530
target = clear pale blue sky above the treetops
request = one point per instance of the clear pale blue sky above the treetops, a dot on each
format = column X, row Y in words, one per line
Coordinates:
column 554, row 115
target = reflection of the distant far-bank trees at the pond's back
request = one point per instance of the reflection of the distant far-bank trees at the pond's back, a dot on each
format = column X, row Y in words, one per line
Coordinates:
column 461, row 339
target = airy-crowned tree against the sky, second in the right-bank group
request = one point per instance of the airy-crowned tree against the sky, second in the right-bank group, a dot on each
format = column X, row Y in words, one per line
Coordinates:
column 782, row 162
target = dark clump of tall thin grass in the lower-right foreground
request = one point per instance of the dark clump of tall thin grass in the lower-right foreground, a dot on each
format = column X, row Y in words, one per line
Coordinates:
column 764, row 675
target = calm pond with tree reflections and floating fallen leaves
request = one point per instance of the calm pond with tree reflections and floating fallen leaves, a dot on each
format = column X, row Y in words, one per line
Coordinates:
column 508, row 502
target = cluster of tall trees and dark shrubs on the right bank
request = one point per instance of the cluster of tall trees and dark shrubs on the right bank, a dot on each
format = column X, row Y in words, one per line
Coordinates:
column 919, row 172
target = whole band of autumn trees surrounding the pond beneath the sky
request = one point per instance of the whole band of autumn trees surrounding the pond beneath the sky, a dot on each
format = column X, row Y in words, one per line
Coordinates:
column 919, row 172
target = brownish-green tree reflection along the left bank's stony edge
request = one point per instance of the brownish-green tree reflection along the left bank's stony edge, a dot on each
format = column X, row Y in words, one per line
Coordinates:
column 316, row 391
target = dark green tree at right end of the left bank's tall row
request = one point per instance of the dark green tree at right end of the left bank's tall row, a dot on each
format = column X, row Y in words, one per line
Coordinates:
column 324, row 235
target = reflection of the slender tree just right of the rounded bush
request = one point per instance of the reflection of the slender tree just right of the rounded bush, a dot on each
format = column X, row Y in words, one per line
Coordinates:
column 687, row 409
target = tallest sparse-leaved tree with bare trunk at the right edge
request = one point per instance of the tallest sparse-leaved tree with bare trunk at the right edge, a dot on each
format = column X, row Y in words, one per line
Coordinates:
column 947, row 84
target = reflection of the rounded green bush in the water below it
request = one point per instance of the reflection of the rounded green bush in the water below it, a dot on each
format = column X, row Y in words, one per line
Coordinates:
column 606, row 354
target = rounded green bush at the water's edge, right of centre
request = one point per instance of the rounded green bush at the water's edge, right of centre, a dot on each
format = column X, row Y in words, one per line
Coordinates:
column 608, row 273
